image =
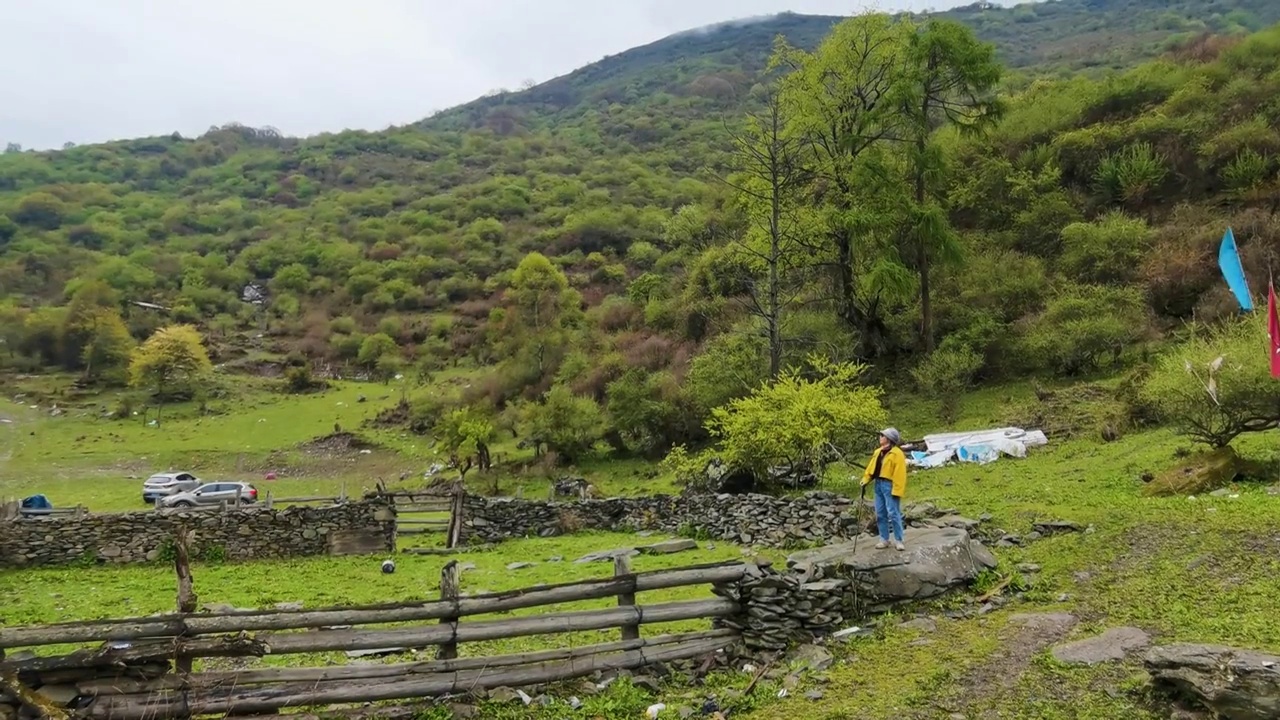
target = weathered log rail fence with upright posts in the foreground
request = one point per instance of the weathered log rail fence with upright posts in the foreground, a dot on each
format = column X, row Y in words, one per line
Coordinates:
column 127, row 676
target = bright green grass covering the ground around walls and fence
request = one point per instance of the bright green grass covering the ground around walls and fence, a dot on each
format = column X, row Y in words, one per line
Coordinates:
column 1197, row 571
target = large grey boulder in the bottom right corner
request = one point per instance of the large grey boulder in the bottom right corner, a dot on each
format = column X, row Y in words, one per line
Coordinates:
column 1237, row 685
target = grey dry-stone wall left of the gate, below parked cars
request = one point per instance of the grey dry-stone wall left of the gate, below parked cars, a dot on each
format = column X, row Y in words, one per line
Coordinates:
column 140, row 537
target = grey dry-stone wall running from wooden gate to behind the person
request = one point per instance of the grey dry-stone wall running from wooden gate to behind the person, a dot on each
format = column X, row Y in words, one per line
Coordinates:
column 749, row 520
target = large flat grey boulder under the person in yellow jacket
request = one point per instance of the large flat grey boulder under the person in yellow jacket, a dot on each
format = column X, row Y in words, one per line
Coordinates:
column 935, row 562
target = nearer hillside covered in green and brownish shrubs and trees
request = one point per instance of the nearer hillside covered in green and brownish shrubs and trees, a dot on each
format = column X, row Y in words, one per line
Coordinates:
column 614, row 259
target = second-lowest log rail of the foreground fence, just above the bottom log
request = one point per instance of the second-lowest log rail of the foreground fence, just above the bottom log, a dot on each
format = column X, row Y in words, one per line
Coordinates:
column 365, row 672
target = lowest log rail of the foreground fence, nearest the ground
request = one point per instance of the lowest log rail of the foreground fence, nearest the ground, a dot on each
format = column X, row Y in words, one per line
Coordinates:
column 259, row 700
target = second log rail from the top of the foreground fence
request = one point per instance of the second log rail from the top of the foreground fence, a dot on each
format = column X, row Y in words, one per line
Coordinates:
column 406, row 637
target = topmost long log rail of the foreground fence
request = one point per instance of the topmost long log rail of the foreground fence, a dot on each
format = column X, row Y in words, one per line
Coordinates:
column 253, row 621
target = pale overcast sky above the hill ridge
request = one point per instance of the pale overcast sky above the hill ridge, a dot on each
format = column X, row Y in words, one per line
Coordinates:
column 90, row 71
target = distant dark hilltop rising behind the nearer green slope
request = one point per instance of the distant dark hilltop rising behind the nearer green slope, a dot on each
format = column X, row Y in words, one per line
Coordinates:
column 1034, row 39
